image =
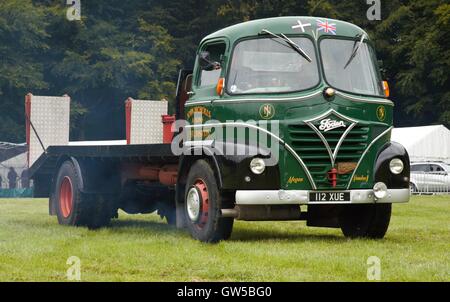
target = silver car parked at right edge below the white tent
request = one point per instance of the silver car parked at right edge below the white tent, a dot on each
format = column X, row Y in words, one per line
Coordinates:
column 430, row 177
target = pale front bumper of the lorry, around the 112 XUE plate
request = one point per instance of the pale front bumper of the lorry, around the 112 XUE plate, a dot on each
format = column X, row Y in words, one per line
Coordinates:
column 286, row 197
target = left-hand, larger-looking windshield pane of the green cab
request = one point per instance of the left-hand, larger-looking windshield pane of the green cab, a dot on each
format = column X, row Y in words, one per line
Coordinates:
column 271, row 66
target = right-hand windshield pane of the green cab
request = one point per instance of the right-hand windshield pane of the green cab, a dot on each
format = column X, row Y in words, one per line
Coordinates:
column 359, row 75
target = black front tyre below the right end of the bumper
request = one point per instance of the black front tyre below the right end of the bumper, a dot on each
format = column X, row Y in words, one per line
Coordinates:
column 365, row 221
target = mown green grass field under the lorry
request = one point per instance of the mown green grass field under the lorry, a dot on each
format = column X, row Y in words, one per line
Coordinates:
column 34, row 247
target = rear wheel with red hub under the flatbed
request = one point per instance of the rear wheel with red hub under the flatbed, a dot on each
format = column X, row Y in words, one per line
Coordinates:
column 74, row 207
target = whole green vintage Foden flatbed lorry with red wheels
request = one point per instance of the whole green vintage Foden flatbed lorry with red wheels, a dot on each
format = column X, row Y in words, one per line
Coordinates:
column 311, row 90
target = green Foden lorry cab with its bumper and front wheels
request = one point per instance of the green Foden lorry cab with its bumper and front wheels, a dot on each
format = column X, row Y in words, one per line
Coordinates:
column 316, row 81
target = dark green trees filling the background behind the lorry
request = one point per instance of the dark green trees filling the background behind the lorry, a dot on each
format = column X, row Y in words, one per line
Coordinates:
column 136, row 47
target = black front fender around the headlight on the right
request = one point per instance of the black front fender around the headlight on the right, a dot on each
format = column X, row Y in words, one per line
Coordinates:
column 382, row 172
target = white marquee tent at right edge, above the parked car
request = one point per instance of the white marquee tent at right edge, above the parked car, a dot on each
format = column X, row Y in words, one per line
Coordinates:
column 428, row 143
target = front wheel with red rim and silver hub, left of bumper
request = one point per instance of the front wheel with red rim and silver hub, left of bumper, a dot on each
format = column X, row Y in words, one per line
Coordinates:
column 203, row 205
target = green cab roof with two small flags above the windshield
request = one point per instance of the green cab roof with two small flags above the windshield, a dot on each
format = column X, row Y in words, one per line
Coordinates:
column 312, row 26
